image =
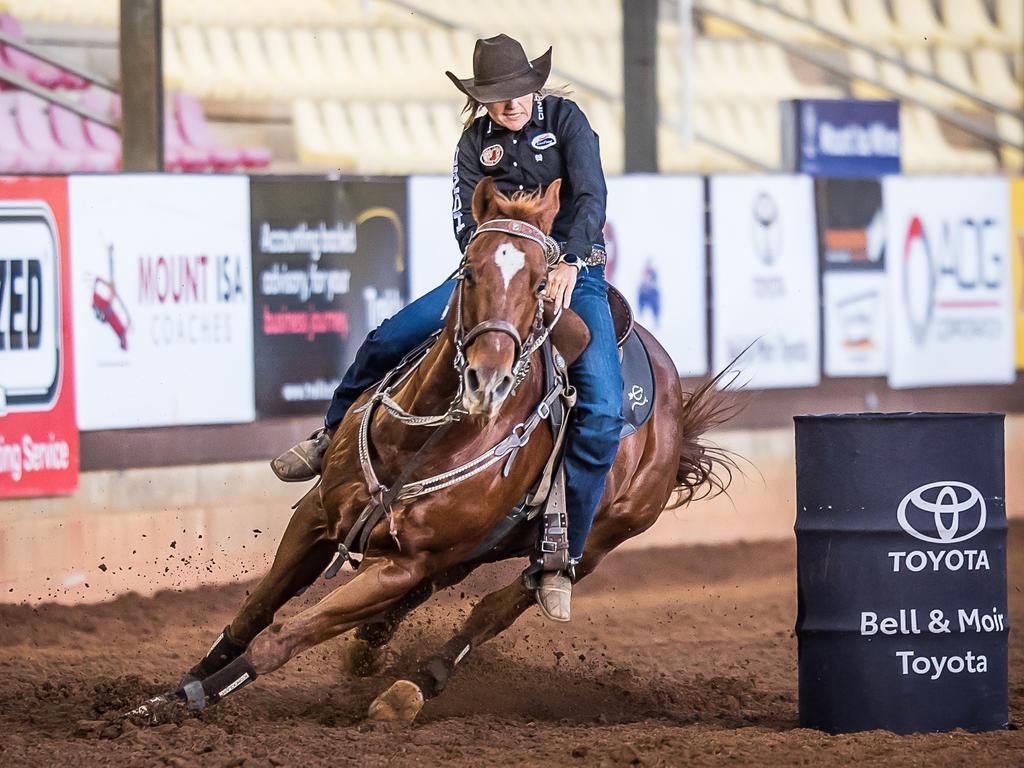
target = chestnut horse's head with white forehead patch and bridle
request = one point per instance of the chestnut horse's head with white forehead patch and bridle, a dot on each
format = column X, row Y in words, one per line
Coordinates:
column 499, row 300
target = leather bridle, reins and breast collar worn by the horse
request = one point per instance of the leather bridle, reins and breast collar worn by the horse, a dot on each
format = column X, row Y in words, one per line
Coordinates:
column 382, row 497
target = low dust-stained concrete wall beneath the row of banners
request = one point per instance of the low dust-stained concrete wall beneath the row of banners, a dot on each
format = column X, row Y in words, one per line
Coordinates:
column 177, row 528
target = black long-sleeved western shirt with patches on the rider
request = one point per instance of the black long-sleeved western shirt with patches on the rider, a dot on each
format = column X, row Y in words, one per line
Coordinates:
column 557, row 143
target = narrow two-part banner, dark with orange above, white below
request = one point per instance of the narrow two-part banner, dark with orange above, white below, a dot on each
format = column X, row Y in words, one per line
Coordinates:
column 854, row 245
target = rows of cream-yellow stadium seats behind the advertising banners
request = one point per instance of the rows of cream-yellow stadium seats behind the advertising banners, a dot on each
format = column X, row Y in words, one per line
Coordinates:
column 363, row 84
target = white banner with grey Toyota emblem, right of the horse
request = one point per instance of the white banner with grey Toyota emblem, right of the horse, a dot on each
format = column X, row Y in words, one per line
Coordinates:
column 765, row 280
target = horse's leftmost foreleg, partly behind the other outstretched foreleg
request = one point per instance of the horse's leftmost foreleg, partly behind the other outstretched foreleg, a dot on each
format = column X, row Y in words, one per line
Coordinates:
column 303, row 556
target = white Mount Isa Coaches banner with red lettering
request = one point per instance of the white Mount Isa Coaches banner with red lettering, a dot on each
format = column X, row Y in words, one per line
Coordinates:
column 162, row 301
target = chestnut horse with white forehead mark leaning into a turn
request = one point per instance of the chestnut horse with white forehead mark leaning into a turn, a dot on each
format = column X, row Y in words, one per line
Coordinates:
column 425, row 543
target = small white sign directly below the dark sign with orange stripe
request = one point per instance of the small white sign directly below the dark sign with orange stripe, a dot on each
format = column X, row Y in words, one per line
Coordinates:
column 856, row 338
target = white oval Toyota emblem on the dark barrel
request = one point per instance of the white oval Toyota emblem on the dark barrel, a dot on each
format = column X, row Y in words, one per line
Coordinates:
column 945, row 513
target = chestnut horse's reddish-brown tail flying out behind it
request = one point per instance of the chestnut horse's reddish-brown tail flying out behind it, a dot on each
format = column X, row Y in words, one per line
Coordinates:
column 705, row 471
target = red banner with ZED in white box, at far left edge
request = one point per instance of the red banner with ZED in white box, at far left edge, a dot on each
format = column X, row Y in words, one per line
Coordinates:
column 38, row 435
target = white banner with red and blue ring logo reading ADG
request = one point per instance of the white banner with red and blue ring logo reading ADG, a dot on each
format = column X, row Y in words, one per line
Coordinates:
column 949, row 274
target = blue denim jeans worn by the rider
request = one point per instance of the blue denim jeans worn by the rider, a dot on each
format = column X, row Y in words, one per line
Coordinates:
column 593, row 437
